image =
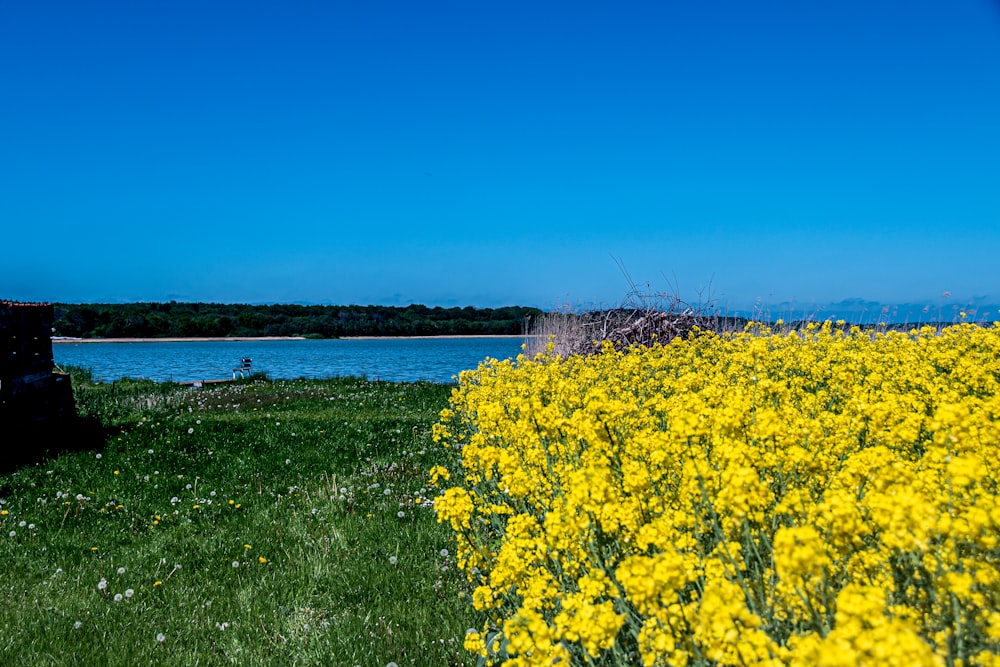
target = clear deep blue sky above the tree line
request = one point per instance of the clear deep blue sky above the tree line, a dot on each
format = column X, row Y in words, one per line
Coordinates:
column 797, row 155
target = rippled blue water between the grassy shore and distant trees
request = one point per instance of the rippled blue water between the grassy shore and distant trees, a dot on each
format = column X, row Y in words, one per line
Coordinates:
column 406, row 360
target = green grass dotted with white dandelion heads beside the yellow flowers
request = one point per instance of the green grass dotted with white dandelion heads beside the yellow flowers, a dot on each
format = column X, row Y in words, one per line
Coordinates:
column 255, row 523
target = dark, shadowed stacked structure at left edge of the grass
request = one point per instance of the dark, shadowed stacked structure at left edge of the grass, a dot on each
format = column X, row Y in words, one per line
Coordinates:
column 35, row 402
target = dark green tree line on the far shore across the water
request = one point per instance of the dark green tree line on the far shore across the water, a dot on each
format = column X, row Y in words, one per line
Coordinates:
column 209, row 320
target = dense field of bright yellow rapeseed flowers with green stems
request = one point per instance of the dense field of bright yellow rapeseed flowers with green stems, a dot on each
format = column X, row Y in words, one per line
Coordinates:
column 821, row 496
